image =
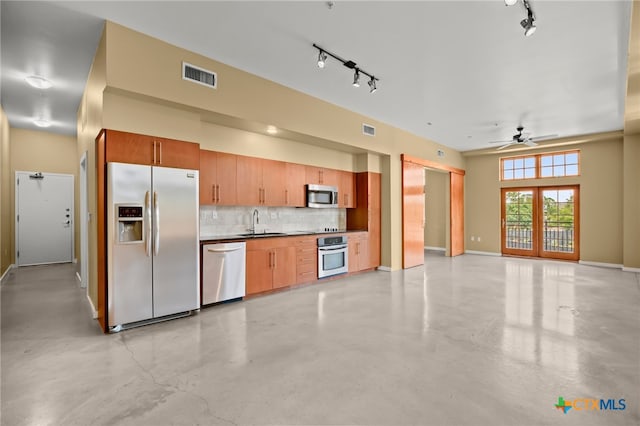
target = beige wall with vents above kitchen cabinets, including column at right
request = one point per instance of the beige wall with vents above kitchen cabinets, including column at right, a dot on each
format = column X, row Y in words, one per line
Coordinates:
column 143, row 78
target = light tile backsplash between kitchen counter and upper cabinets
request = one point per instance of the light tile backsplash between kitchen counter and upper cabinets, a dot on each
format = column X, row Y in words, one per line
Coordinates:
column 227, row 220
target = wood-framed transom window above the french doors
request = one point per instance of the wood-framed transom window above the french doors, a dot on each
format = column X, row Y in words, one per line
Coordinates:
column 557, row 164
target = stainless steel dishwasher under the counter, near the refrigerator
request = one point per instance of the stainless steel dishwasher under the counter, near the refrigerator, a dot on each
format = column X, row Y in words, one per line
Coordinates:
column 223, row 272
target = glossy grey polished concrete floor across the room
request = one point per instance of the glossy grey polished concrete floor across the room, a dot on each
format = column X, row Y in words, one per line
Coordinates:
column 471, row 340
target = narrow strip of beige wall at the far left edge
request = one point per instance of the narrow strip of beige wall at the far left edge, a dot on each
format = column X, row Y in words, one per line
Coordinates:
column 5, row 194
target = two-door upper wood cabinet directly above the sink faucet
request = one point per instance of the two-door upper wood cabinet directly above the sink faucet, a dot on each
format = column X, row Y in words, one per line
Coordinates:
column 260, row 182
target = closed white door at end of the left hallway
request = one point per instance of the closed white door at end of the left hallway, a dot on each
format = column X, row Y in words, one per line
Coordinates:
column 44, row 218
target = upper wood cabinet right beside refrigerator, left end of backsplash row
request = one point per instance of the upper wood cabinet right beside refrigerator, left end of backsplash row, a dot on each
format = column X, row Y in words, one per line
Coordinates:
column 217, row 178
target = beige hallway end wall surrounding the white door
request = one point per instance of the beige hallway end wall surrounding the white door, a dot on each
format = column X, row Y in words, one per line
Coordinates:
column 39, row 151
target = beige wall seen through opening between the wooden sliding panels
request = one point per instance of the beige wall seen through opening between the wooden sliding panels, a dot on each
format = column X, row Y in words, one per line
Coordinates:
column 436, row 208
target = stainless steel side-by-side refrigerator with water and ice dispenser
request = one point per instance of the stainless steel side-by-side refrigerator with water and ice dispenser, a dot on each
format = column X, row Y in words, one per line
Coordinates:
column 153, row 244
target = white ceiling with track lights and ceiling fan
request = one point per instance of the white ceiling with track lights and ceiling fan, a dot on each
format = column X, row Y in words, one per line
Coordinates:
column 460, row 73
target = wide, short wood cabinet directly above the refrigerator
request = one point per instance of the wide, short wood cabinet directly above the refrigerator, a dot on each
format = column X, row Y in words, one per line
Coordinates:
column 125, row 147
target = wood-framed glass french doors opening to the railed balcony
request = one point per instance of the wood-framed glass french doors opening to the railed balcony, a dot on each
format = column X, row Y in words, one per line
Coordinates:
column 541, row 222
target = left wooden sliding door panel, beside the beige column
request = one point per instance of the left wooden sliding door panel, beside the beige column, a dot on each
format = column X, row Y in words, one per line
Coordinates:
column 412, row 214
